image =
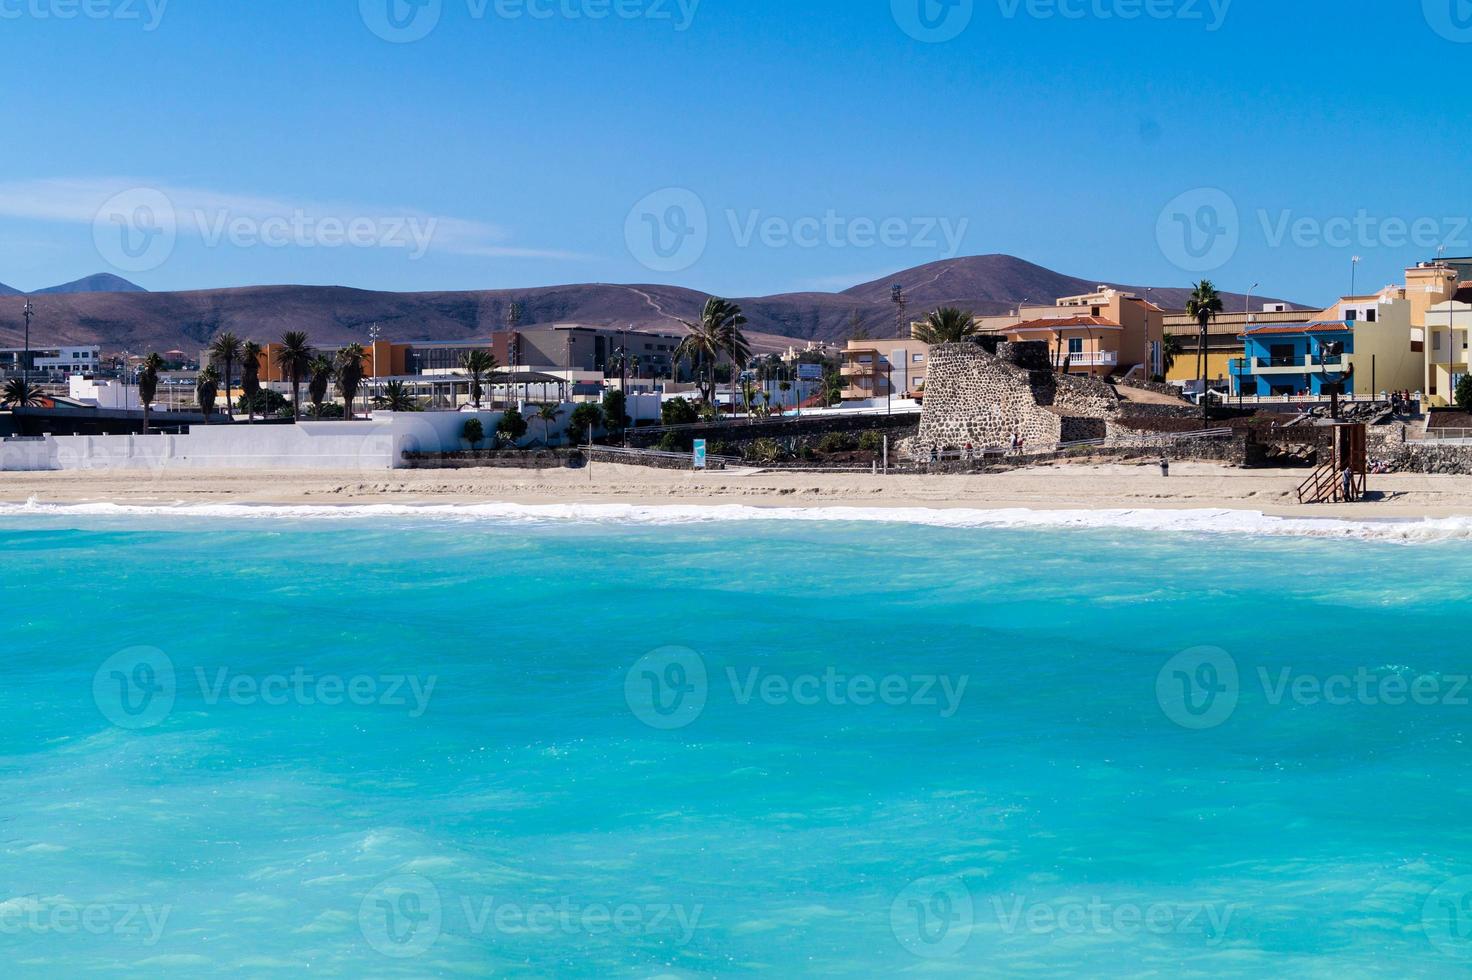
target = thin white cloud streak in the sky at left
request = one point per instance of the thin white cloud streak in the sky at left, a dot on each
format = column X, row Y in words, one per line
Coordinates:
column 205, row 213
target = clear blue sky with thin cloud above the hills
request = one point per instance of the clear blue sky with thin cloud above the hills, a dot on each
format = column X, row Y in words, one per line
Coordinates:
column 763, row 146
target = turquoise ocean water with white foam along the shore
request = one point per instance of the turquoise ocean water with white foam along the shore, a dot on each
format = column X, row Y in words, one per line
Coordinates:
column 603, row 744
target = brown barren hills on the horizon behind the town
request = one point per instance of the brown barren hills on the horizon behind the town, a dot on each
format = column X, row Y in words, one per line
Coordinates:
column 335, row 316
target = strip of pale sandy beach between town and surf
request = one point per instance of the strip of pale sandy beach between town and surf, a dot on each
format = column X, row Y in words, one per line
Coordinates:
column 1087, row 488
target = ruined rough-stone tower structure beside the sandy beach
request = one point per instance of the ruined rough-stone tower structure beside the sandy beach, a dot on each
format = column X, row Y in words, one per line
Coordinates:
column 984, row 400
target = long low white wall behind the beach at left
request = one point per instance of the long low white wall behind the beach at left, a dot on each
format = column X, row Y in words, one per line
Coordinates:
column 376, row 445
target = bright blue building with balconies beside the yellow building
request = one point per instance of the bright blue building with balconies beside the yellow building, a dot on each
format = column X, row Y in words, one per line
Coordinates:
column 1293, row 360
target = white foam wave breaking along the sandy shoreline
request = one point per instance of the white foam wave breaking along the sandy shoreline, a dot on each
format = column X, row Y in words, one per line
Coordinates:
column 1200, row 522
